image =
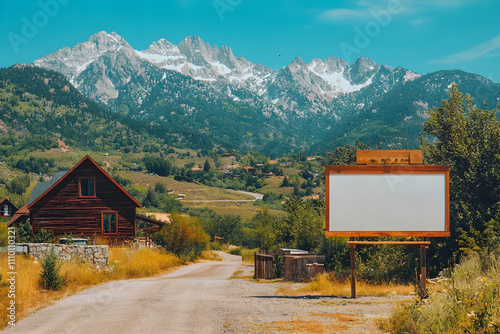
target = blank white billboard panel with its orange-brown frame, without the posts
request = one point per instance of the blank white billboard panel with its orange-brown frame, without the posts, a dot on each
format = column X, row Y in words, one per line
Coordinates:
column 387, row 200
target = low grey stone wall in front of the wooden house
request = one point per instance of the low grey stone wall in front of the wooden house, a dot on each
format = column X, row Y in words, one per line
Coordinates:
column 96, row 255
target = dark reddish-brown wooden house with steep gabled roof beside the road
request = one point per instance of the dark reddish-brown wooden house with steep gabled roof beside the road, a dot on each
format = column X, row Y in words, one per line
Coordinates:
column 84, row 201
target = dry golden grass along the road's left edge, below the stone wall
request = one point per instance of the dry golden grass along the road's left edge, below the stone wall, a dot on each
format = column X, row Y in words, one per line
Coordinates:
column 124, row 264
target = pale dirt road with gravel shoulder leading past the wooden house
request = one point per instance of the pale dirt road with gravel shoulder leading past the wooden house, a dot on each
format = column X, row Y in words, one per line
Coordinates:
column 201, row 298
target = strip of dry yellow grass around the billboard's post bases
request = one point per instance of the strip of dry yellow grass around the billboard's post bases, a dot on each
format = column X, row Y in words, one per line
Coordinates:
column 323, row 286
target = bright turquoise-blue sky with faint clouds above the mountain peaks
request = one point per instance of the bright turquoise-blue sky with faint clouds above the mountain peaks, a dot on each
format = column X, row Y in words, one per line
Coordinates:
column 421, row 35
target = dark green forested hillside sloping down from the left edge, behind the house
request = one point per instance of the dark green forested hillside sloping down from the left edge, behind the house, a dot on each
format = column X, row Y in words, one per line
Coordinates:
column 40, row 110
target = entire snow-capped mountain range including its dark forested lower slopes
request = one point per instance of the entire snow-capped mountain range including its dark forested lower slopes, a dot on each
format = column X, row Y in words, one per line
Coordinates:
column 194, row 84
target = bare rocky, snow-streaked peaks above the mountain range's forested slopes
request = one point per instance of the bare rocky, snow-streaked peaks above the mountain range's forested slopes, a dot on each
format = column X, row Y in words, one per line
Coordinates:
column 317, row 81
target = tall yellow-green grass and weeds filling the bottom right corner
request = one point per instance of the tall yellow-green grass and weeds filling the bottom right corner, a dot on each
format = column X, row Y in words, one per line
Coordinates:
column 468, row 303
